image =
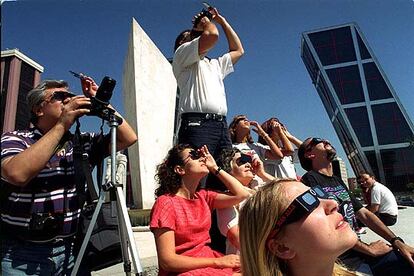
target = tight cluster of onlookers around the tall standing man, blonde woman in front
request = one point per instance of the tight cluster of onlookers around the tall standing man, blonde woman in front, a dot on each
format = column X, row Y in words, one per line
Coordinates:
column 272, row 223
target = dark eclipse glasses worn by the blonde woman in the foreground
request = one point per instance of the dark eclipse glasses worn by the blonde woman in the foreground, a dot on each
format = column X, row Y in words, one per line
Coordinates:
column 301, row 206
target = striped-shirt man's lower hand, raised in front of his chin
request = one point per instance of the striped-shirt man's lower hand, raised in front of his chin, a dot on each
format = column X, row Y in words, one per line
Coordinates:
column 73, row 108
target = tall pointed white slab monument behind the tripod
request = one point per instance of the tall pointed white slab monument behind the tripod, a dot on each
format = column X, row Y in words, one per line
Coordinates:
column 149, row 90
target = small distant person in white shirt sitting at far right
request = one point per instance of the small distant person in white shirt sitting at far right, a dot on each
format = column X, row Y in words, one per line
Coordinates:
column 383, row 203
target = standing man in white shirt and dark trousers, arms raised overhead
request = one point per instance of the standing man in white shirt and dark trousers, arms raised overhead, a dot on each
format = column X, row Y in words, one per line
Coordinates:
column 203, row 106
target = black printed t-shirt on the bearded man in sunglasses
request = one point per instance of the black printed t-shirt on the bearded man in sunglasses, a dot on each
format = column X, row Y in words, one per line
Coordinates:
column 335, row 187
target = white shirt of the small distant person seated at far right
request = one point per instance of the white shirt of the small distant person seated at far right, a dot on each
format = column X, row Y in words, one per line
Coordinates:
column 382, row 196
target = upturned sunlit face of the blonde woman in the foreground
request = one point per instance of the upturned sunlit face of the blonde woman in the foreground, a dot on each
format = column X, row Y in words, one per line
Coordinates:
column 324, row 230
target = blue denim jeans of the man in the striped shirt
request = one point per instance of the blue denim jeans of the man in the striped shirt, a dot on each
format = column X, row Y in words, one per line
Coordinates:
column 27, row 258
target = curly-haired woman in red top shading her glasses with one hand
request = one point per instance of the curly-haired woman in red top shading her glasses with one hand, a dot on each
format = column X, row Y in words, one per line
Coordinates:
column 181, row 215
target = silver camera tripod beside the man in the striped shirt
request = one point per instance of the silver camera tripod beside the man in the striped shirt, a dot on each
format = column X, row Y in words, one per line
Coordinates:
column 128, row 246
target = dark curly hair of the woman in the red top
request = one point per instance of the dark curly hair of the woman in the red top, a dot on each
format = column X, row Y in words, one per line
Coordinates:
column 168, row 180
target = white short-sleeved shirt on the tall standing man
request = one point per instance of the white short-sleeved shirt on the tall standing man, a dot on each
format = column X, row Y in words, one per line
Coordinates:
column 200, row 79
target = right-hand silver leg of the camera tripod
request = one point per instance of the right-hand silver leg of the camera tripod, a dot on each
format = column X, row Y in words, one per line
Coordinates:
column 126, row 234
